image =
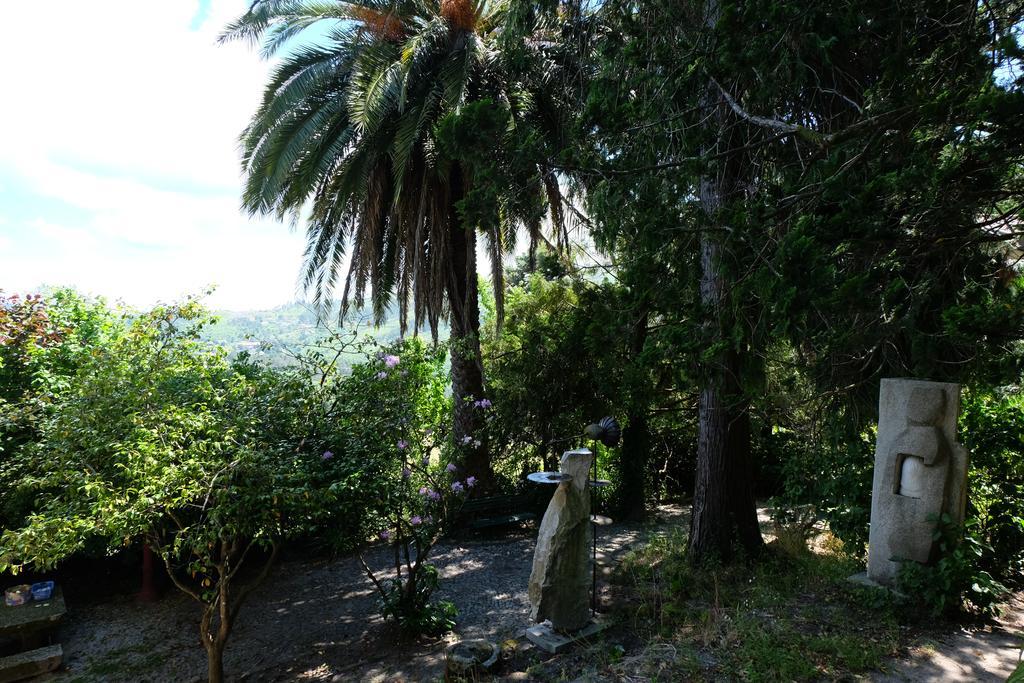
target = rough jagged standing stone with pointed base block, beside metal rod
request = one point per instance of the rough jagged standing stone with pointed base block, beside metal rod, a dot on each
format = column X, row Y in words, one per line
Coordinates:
column 561, row 581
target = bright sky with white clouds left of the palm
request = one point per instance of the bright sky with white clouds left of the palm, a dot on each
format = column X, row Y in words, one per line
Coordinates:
column 119, row 161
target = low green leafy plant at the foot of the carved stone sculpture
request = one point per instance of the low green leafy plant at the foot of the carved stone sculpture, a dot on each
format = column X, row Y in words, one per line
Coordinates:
column 955, row 581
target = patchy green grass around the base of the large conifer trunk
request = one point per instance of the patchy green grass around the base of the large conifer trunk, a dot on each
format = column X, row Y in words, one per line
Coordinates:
column 789, row 617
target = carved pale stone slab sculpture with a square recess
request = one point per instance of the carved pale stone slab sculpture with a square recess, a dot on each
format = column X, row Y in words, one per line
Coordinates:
column 920, row 474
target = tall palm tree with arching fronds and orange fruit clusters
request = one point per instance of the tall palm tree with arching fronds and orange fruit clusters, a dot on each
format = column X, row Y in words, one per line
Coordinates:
column 396, row 132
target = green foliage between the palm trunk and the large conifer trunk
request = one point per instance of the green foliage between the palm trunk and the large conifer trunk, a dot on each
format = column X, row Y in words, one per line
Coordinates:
column 550, row 321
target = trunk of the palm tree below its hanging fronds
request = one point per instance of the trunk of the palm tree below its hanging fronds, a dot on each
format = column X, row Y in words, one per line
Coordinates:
column 467, row 368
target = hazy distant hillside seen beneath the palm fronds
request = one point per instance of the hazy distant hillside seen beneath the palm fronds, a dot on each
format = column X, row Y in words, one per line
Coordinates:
column 275, row 333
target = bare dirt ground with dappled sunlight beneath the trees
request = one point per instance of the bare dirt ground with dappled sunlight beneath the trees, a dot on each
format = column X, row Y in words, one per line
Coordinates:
column 318, row 622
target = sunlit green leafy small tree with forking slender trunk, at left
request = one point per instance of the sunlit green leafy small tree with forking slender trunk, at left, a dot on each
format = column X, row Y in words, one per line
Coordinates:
column 162, row 439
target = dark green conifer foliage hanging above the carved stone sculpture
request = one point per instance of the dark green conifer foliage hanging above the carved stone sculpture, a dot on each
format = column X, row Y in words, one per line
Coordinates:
column 862, row 187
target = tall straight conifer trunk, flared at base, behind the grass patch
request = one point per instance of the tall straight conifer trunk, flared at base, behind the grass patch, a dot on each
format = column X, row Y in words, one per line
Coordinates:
column 723, row 501
